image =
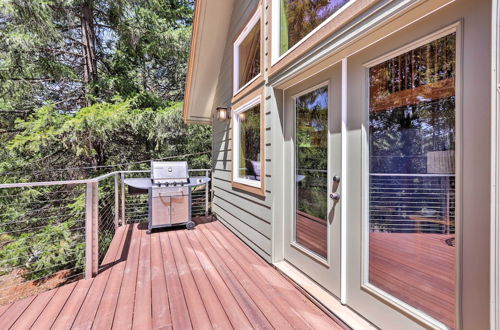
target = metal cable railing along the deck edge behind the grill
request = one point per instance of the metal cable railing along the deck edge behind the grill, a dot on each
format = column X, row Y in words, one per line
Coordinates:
column 55, row 232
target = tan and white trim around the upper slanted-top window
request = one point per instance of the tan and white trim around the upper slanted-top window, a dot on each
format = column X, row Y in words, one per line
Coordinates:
column 255, row 19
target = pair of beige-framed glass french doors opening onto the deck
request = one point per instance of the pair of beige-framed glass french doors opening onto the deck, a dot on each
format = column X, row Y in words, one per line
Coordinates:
column 414, row 125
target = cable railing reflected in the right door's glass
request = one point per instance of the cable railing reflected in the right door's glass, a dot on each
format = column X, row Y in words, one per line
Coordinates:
column 412, row 203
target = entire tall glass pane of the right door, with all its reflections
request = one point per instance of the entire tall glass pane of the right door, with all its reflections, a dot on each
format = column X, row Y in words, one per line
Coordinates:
column 412, row 178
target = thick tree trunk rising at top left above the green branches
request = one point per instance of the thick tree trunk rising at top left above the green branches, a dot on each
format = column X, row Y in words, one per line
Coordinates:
column 88, row 44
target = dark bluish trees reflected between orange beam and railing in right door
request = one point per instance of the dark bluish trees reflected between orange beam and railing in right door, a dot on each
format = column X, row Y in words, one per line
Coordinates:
column 401, row 138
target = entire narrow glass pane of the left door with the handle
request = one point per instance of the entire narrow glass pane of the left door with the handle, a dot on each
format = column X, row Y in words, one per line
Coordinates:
column 311, row 139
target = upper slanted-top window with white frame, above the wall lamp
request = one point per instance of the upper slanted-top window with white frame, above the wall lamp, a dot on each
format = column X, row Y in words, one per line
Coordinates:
column 247, row 53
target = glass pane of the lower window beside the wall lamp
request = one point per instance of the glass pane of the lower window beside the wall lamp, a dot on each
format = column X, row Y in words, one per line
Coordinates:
column 250, row 144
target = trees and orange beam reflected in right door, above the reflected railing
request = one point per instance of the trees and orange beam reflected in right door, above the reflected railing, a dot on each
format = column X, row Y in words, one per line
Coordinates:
column 412, row 107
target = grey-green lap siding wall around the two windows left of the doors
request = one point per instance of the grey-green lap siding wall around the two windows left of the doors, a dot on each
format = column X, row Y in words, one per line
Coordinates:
column 248, row 215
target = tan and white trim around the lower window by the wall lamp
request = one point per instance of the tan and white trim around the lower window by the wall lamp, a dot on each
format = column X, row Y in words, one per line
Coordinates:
column 252, row 186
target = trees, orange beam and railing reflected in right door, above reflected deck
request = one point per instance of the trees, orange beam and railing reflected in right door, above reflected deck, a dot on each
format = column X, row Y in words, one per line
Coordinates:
column 412, row 140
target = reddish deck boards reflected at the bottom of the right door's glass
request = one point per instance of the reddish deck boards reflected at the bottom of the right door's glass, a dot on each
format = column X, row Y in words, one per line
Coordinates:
column 419, row 269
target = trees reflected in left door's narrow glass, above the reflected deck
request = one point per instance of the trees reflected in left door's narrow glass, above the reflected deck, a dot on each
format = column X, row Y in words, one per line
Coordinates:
column 311, row 153
